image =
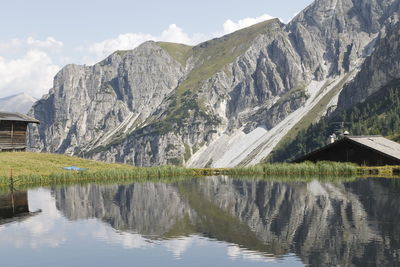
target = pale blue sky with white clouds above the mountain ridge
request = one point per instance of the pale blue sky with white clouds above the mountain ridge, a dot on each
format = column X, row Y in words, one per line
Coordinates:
column 38, row 38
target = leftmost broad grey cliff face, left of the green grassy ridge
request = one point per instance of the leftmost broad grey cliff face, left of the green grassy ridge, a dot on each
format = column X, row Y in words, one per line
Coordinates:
column 86, row 103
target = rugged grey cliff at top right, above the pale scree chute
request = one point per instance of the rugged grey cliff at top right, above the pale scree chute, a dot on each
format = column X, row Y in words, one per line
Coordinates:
column 338, row 32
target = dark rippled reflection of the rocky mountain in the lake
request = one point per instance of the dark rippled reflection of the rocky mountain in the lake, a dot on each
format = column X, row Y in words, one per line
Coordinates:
column 344, row 224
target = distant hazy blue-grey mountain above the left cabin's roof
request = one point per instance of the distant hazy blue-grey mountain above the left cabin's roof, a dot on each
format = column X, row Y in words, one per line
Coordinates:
column 17, row 103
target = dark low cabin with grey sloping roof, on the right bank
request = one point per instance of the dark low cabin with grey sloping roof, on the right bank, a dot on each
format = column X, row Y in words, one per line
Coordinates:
column 363, row 150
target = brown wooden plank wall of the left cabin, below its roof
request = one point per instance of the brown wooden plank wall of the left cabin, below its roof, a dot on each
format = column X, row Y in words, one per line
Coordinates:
column 12, row 135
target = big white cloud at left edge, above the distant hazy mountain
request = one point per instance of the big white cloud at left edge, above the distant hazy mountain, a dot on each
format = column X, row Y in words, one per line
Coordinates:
column 32, row 73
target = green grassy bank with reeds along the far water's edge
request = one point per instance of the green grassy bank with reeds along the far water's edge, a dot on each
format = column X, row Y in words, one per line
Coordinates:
column 47, row 169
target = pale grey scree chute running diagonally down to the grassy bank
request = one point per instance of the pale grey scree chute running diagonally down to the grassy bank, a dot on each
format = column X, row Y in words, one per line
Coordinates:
column 249, row 149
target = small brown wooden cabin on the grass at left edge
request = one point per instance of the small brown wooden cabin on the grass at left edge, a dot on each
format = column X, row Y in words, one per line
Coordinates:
column 13, row 129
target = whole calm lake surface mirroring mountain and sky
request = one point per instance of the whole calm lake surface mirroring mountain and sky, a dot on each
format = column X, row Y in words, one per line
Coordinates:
column 214, row 221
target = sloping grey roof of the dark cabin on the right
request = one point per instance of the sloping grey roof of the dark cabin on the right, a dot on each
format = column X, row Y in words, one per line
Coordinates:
column 376, row 142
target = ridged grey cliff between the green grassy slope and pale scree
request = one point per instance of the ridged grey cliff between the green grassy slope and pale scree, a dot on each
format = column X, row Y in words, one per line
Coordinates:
column 266, row 72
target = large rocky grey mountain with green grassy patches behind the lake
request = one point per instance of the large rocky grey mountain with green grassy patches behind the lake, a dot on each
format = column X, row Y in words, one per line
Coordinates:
column 225, row 102
